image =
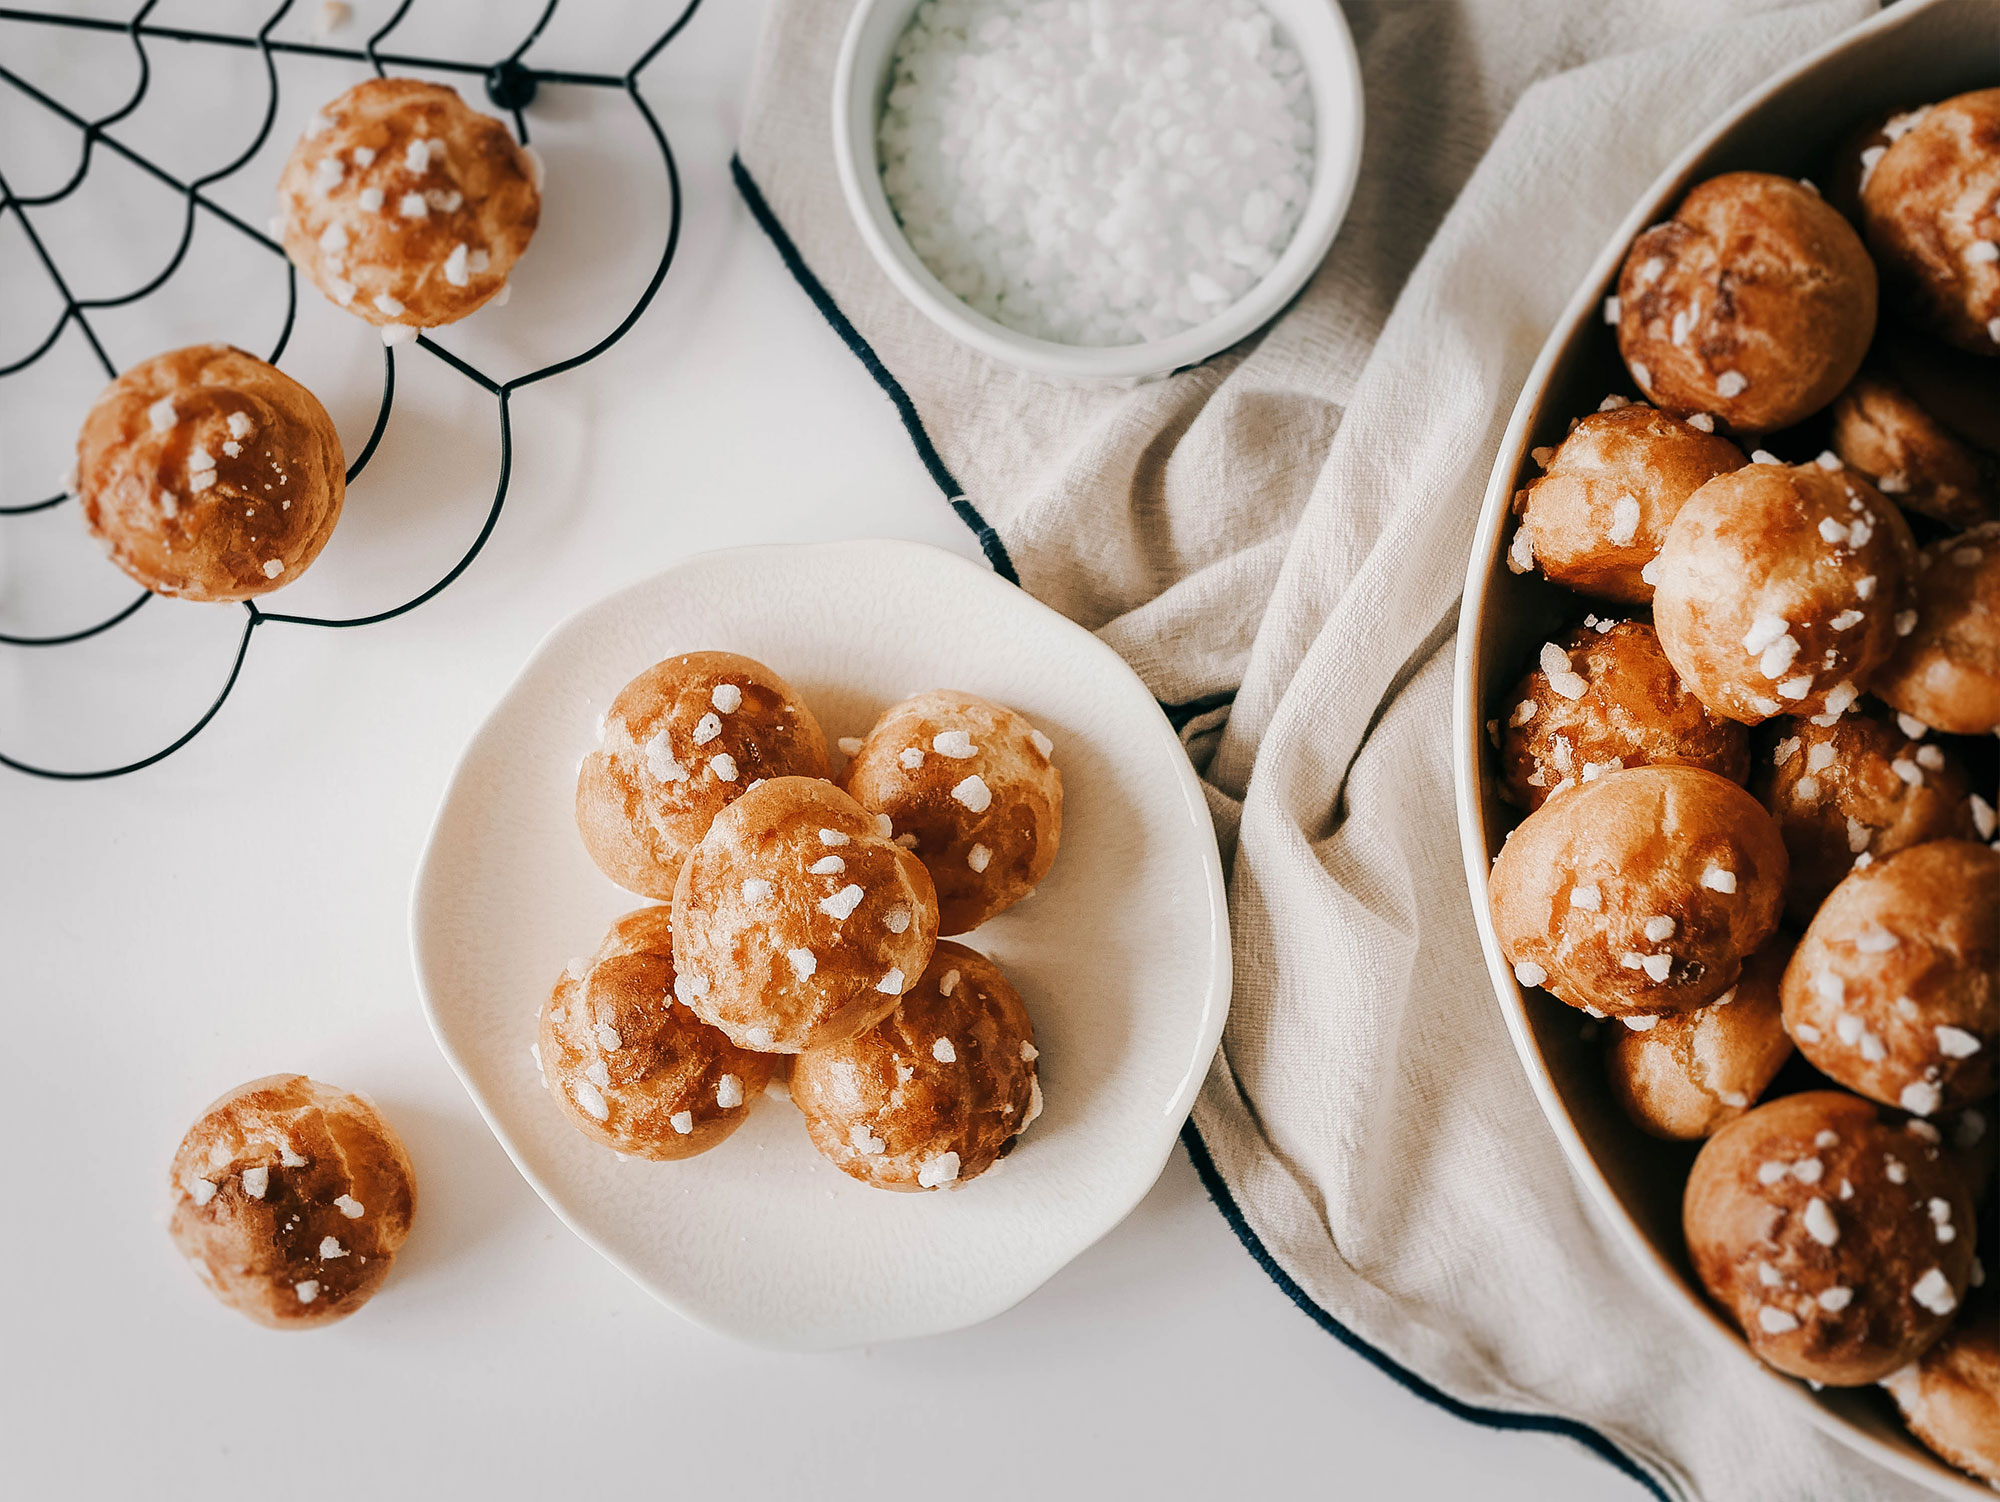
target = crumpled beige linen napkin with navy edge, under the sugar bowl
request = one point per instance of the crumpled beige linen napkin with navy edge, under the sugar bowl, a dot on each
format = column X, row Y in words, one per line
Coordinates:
column 1277, row 543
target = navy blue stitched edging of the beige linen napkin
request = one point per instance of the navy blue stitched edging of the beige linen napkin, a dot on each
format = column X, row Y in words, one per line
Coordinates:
column 1219, row 1193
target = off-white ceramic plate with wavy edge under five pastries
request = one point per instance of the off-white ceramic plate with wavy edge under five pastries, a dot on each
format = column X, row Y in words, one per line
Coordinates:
column 1123, row 955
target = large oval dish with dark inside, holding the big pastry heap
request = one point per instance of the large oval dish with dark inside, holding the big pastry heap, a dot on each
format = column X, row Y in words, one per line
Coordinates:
column 1909, row 55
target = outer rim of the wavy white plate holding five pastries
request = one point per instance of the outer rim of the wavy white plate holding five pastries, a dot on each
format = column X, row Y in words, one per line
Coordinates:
column 1215, row 1003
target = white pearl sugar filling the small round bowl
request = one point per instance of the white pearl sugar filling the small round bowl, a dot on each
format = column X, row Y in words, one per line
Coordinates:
column 1097, row 171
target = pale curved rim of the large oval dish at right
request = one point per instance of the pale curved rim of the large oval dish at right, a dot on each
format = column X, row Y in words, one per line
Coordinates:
column 1911, row 1463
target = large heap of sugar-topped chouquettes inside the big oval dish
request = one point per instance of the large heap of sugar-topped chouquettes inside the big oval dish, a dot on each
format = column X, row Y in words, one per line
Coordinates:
column 1759, row 777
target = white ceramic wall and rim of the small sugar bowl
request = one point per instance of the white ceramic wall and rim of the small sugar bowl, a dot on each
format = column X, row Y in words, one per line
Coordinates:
column 861, row 81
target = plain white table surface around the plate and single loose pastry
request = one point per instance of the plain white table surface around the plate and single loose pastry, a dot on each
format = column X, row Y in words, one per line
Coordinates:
column 241, row 911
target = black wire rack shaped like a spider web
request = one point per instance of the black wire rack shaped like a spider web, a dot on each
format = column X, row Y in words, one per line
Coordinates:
column 511, row 83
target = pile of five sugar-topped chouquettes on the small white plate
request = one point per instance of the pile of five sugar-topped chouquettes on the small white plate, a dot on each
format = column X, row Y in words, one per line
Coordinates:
column 799, row 925
